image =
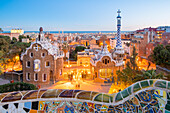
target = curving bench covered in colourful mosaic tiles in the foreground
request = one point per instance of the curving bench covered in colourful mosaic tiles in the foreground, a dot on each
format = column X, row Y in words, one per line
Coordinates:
column 148, row 96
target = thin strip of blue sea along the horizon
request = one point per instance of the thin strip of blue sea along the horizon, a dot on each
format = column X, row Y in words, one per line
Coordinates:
column 71, row 31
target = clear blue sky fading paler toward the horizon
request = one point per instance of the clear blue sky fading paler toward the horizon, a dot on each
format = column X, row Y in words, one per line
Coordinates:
column 83, row 15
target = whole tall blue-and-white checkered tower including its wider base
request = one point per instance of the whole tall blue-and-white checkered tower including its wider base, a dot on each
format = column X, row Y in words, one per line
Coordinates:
column 119, row 50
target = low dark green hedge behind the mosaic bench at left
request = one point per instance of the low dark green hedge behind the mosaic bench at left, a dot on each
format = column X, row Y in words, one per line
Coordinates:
column 17, row 86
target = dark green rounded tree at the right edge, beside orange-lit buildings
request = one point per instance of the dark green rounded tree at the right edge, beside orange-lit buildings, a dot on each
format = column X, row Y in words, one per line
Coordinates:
column 161, row 55
